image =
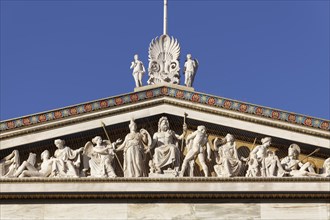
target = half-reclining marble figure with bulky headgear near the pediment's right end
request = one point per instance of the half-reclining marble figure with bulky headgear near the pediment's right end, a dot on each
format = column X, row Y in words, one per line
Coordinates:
column 294, row 166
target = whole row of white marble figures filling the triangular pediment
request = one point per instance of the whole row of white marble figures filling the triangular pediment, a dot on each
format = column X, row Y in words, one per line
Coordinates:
column 165, row 159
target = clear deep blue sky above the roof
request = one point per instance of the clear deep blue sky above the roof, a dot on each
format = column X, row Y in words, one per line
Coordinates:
column 60, row 53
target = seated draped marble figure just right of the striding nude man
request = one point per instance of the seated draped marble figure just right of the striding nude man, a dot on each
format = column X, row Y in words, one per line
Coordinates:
column 228, row 163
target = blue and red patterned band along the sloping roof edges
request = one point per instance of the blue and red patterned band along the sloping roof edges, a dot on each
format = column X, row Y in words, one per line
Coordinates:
column 167, row 91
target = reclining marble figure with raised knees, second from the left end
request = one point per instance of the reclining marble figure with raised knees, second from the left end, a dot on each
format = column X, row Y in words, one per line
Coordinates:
column 27, row 168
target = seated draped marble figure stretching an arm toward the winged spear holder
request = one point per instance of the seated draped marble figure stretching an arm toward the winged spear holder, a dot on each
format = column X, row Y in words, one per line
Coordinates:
column 66, row 161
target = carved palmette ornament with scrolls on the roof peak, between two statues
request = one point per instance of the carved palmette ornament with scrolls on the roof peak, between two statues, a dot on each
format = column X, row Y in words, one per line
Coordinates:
column 164, row 53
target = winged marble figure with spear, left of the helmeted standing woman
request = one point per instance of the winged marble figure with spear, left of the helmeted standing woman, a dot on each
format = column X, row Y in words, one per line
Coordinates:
column 101, row 155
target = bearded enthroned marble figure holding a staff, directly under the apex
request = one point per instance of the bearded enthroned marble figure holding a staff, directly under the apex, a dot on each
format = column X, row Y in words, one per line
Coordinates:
column 166, row 149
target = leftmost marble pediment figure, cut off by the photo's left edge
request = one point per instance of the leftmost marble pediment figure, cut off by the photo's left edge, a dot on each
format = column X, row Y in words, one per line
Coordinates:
column 9, row 164
